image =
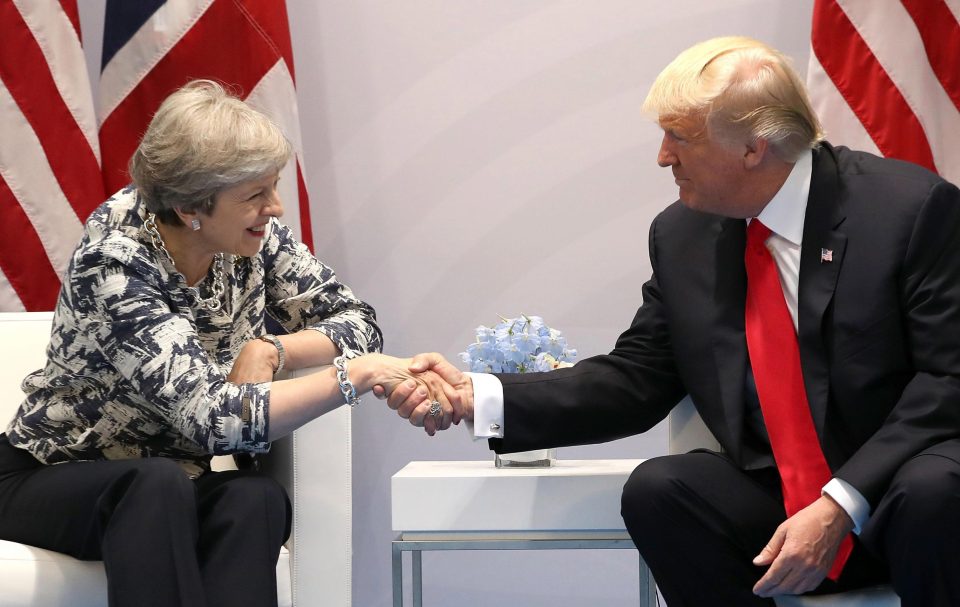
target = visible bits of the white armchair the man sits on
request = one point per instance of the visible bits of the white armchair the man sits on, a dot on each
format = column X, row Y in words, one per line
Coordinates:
column 688, row 432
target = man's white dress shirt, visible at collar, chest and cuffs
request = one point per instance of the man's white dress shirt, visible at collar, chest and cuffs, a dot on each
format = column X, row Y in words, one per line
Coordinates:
column 784, row 215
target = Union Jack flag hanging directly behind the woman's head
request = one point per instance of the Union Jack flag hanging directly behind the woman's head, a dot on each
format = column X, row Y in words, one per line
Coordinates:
column 152, row 47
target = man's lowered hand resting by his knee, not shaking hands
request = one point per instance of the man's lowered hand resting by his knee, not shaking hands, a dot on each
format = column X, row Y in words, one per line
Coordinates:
column 802, row 549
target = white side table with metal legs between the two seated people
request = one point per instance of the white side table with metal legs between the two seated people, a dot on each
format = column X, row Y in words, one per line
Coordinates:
column 475, row 506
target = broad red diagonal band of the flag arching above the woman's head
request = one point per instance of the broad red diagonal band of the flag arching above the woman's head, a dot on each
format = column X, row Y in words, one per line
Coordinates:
column 223, row 45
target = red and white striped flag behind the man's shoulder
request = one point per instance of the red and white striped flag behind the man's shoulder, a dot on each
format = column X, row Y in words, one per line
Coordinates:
column 884, row 76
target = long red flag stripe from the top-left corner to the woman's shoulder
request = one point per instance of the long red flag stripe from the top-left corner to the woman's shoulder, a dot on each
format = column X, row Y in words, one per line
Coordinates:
column 25, row 72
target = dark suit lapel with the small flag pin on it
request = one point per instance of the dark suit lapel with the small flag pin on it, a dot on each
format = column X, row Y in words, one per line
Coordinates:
column 821, row 256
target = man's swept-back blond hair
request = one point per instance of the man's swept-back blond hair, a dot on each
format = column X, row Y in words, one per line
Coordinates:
column 737, row 87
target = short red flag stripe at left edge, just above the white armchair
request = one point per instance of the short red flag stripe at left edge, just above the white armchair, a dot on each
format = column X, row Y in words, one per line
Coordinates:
column 23, row 258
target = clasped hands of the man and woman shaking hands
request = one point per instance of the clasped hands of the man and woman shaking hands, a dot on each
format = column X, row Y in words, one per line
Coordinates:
column 426, row 390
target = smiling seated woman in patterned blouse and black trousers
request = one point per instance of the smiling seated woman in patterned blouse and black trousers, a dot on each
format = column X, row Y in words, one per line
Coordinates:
column 159, row 359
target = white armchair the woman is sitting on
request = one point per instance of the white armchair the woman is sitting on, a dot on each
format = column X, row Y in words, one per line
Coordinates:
column 315, row 466
